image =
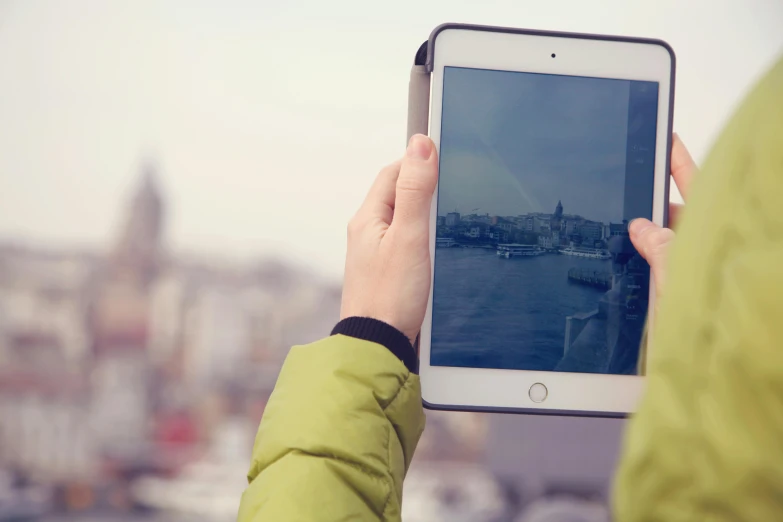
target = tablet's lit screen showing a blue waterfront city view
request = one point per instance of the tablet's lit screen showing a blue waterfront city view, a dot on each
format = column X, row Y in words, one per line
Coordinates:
column 539, row 176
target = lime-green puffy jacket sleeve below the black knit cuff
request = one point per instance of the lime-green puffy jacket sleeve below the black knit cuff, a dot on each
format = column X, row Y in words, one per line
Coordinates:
column 337, row 436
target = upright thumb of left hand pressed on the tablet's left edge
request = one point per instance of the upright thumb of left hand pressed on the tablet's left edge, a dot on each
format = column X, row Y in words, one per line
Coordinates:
column 416, row 185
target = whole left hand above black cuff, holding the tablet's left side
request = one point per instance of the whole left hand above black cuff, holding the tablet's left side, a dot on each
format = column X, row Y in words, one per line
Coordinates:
column 387, row 268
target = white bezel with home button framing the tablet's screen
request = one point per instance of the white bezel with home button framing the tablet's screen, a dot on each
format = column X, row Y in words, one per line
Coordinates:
column 482, row 389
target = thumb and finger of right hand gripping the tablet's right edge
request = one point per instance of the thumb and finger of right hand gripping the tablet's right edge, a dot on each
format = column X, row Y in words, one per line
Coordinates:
column 652, row 241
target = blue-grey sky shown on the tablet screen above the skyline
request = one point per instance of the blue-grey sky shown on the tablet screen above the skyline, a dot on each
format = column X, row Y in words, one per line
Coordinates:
column 514, row 143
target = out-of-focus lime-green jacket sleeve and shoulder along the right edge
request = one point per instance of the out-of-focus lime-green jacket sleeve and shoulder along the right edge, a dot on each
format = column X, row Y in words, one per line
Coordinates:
column 707, row 441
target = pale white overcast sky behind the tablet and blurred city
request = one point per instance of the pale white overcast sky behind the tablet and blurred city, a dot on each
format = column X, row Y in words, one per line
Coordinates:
column 269, row 121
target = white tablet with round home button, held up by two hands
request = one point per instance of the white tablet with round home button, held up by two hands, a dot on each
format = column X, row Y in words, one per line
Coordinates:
column 550, row 144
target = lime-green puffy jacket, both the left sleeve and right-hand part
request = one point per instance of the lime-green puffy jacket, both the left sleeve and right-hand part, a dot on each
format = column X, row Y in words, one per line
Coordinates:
column 707, row 442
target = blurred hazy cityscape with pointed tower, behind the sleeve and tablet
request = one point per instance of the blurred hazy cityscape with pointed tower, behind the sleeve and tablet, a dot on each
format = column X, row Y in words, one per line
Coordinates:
column 132, row 381
